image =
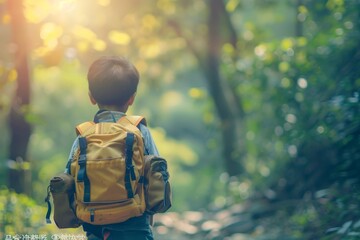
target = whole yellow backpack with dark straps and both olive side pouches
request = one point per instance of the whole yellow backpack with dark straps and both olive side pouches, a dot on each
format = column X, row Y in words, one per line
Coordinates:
column 112, row 179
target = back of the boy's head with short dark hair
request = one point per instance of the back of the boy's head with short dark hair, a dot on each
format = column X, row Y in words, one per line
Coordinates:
column 112, row 81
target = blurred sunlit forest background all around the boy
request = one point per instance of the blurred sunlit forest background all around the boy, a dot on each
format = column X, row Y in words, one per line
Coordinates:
column 254, row 104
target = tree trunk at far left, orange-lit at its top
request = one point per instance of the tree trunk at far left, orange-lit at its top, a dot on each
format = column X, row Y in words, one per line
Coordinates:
column 20, row 129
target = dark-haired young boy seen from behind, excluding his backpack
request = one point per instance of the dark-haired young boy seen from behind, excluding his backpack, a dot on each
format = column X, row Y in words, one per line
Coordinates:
column 113, row 83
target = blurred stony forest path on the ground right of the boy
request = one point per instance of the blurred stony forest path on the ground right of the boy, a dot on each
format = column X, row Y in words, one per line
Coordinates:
column 238, row 222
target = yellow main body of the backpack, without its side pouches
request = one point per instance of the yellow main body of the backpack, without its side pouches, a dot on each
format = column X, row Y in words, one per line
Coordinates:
column 109, row 171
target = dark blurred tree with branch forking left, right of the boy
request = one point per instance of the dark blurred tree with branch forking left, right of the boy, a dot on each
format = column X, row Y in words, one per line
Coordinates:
column 228, row 105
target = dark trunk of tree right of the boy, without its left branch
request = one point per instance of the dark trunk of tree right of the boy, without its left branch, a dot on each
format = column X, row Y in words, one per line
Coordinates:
column 225, row 102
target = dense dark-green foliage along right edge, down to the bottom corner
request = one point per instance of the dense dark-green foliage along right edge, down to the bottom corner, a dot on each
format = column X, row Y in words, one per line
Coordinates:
column 312, row 113
